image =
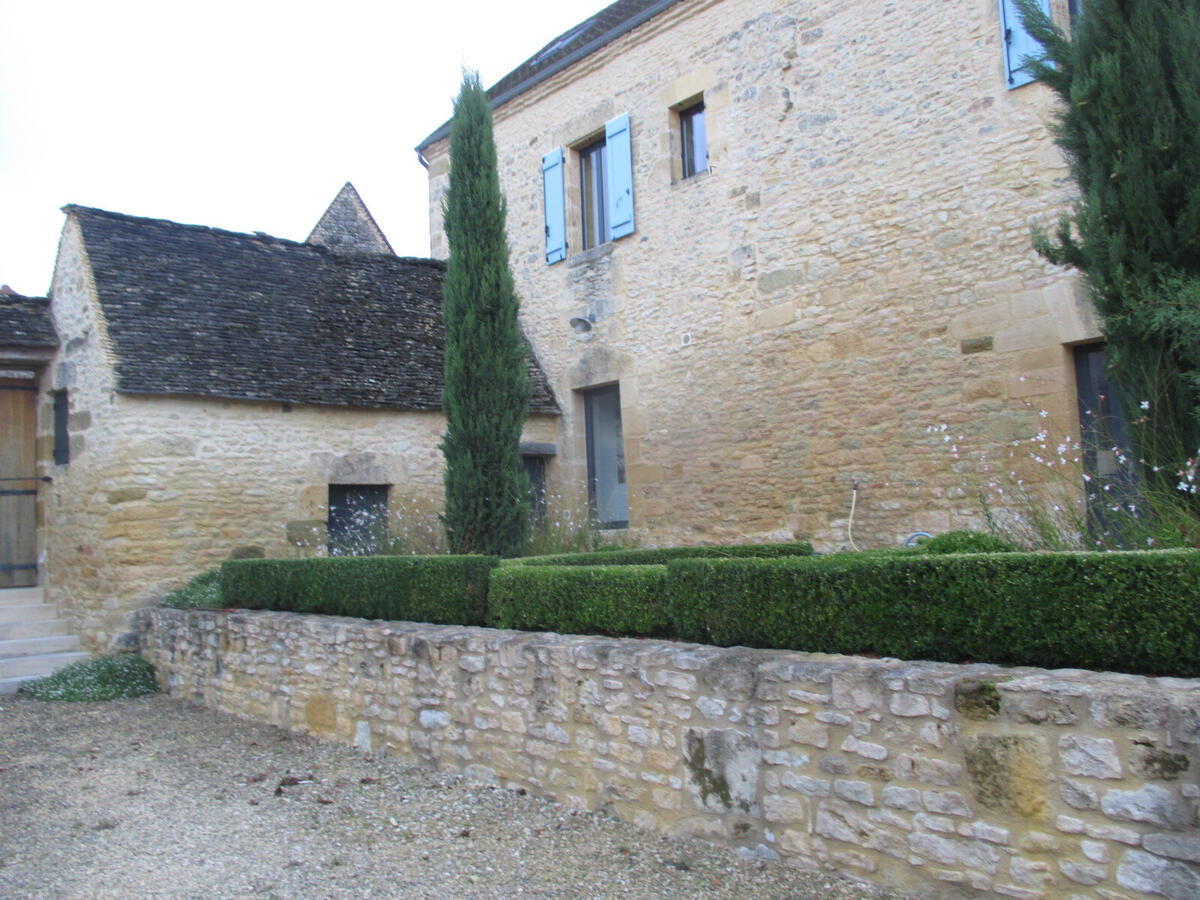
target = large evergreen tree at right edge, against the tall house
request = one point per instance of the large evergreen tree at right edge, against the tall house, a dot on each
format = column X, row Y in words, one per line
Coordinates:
column 1130, row 128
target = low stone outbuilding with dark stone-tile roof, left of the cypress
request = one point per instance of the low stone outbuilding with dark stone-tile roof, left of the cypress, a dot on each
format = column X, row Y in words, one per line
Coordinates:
column 215, row 395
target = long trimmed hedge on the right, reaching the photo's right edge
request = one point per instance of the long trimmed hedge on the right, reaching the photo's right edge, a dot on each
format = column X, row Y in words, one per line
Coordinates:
column 1133, row 613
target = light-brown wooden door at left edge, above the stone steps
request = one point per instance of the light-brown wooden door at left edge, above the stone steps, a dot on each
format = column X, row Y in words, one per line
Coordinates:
column 19, row 482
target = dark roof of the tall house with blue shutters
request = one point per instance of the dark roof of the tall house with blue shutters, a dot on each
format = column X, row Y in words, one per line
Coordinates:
column 568, row 49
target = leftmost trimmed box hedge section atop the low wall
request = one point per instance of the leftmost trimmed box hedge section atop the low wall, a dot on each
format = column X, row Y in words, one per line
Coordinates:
column 442, row 590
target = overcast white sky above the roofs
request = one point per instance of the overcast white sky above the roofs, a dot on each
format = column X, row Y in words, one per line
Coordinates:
column 247, row 116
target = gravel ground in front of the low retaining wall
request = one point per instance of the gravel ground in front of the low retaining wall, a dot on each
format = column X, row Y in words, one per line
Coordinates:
column 153, row 797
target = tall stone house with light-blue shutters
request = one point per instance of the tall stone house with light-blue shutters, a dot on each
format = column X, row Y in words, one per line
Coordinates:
column 764, row 248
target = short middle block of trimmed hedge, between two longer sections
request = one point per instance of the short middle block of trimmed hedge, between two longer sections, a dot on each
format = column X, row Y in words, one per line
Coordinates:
column 596, row 599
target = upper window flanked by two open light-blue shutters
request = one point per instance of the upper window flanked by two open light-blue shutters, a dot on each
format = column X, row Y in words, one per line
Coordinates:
column 607, row 191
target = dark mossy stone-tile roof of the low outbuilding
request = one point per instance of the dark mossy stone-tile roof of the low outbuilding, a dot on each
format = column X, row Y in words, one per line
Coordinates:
column 195, row 311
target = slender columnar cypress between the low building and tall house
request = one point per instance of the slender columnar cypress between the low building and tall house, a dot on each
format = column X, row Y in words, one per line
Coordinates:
column 487, row 393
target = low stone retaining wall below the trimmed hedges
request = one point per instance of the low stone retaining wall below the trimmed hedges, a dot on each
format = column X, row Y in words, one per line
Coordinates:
column 941, row 779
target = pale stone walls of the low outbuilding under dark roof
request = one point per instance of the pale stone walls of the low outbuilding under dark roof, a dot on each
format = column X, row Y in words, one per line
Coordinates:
column 160, row 489
